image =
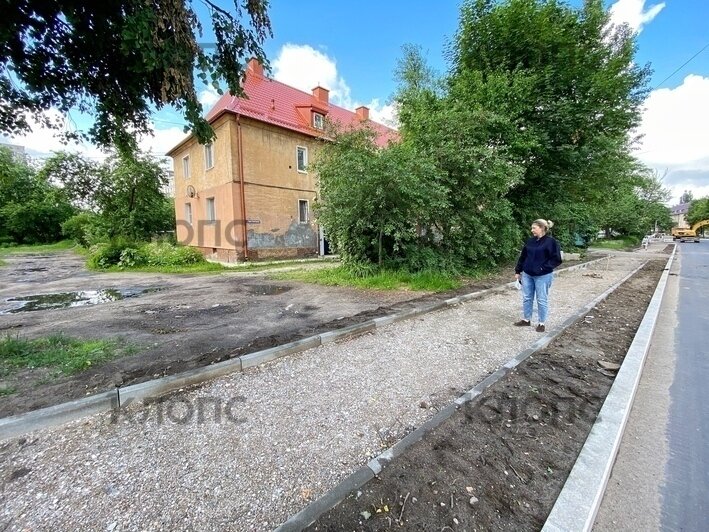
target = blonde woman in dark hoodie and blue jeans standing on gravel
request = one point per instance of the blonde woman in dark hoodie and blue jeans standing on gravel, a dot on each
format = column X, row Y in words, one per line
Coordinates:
column 535, row 267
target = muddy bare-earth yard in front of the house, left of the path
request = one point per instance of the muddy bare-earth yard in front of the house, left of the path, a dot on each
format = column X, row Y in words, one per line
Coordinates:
column 177, row 322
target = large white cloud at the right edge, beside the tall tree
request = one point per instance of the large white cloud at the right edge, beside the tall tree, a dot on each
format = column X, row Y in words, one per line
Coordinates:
column 675, row 129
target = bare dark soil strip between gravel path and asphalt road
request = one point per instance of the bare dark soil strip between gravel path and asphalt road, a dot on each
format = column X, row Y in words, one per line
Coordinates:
column 500, row 461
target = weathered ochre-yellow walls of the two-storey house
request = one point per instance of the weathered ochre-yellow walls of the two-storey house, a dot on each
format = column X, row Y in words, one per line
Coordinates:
column 272, row 187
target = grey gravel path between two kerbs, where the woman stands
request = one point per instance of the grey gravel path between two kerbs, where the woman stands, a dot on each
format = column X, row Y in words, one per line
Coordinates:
column 246, row 451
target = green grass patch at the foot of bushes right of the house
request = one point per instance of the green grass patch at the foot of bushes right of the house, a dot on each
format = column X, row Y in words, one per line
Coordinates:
column 382, row 280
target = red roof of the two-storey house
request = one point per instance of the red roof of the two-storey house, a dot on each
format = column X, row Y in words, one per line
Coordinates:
column 276, row 103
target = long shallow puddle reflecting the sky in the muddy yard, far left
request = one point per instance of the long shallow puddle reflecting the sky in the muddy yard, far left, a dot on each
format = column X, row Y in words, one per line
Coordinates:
column 72, row 299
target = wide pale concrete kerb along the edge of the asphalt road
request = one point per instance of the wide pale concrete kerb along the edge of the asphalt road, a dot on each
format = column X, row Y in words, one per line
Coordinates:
column 577, row 505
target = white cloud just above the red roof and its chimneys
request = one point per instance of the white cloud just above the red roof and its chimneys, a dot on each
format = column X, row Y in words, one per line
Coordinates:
column 304, row 67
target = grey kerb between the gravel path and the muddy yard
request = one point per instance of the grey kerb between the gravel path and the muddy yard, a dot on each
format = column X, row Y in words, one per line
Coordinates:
column 52, row 416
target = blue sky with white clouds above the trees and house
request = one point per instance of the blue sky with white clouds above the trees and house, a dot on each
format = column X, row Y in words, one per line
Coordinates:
column 352, row 49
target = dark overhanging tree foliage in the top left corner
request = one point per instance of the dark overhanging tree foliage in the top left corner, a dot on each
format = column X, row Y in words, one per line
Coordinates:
column 120, row 59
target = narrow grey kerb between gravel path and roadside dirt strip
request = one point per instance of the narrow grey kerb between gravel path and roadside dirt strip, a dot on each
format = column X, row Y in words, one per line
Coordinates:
column 364, row 474
